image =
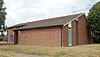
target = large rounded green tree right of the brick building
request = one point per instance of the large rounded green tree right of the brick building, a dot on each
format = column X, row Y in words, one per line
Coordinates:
column 93, row 19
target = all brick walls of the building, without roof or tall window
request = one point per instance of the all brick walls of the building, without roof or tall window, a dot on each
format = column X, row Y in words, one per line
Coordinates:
column 52, row 36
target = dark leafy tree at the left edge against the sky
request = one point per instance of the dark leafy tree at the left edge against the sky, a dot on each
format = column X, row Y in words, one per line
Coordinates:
column 2, row 17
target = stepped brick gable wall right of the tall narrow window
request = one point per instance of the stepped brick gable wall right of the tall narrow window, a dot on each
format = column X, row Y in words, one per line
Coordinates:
column 79, row 31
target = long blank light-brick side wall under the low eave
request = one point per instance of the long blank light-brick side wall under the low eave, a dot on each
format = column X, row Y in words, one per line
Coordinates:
column 41, row 37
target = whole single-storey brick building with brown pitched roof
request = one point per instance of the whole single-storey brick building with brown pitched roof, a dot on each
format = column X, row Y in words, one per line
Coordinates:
column 59, row 31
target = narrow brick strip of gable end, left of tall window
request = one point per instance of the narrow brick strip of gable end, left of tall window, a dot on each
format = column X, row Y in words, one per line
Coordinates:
column 65, row 36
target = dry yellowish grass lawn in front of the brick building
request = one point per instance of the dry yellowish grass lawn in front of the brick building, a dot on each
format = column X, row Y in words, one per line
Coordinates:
column 90, row 50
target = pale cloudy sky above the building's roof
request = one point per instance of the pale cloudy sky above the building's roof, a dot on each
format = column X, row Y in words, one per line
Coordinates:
column 19, row 11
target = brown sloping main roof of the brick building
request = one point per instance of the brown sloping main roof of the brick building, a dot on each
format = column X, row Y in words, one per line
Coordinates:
column 49, row 22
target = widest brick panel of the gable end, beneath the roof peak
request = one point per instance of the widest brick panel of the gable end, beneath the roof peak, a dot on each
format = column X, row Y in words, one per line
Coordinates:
column 82, row 31
